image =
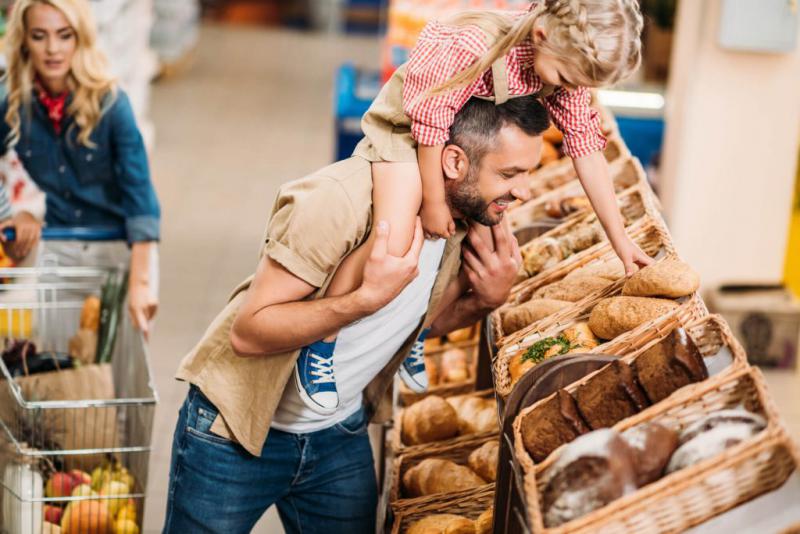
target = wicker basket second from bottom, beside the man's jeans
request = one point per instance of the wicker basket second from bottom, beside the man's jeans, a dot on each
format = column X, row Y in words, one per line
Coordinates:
column 458, row 453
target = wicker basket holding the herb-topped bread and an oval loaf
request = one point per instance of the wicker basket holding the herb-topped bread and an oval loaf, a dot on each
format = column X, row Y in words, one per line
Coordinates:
column 690, row 310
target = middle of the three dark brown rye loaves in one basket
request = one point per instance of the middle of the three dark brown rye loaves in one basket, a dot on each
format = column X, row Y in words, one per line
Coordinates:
column 610, row 396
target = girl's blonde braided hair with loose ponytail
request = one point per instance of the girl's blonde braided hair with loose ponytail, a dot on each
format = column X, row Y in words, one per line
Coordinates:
column 600, row 39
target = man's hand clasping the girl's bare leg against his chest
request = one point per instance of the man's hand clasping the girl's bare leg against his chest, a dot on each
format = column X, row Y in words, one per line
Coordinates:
column 385, row 276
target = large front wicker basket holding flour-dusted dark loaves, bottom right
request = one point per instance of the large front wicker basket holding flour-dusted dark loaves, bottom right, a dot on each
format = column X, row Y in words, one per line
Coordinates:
column 692, row 495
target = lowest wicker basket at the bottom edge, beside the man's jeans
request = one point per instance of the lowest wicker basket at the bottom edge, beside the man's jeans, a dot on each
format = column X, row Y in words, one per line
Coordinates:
column 470, row 504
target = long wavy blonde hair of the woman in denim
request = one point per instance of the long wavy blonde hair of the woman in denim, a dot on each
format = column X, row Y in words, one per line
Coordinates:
column 88, row 78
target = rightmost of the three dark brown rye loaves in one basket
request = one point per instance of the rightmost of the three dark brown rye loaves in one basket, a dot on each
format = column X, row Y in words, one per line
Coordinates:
column 672, row 364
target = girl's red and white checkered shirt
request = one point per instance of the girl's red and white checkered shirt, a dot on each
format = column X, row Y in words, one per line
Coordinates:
column 442, row 51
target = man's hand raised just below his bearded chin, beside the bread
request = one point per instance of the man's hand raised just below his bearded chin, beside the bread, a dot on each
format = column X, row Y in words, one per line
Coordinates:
column 492, row 273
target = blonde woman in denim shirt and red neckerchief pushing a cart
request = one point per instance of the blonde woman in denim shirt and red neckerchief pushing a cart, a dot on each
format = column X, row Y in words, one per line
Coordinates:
column 76, row 135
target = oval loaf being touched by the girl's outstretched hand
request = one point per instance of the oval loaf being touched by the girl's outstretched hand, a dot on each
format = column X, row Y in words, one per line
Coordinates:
column 669, row 278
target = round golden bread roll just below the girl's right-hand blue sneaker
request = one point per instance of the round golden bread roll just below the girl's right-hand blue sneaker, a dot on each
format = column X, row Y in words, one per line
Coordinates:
column 431, row 419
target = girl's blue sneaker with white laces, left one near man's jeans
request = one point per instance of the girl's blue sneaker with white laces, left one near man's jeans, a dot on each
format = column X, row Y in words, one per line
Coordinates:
column 313, row 376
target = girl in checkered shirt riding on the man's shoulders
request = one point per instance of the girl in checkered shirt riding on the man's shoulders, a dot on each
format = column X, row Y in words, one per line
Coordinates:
column 557, row 49
